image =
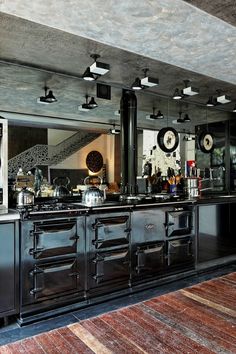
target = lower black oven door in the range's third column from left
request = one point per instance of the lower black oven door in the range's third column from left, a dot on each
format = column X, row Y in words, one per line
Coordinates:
column 149, row 258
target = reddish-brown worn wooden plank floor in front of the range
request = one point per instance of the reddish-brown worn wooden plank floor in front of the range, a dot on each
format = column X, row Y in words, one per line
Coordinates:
column 200, row 318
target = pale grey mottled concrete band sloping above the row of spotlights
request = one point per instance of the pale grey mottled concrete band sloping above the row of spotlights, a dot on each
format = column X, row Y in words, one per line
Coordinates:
column 168, row 30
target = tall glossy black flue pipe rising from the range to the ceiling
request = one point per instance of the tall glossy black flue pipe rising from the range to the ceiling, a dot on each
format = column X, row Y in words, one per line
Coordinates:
column 128, row 123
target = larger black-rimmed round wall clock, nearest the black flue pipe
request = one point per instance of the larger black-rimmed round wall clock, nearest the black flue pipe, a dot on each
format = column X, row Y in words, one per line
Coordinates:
column 168, row 139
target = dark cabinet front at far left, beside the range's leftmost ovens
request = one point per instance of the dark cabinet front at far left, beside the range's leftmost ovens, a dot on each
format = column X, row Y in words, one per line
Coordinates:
column 9, row 265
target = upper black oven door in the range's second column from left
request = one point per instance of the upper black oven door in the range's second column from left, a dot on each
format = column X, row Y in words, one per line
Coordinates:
column 110, row 231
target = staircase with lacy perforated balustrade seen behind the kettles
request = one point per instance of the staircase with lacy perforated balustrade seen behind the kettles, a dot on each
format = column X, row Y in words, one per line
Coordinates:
column 48, row 155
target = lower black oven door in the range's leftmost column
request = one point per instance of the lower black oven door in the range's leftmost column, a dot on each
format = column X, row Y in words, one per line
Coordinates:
column 47, row 280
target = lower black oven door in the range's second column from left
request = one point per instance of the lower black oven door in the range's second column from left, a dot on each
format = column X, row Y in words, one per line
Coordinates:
column 109, row 267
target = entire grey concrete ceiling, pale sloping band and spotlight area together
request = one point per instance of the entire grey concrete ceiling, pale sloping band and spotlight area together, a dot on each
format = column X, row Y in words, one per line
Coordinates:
column 175, row 40
